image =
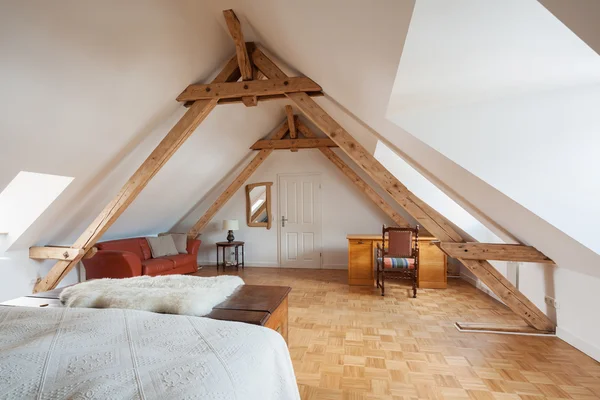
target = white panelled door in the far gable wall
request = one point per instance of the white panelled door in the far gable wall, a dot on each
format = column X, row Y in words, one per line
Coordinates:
column 300, row 221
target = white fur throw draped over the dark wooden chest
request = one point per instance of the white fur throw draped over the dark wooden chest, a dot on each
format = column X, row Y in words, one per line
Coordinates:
column 169, row 294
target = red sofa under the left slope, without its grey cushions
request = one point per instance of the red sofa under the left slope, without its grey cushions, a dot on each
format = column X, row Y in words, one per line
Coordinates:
column 132, row 257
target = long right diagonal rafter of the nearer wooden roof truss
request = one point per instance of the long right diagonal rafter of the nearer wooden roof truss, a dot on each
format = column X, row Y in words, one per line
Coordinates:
column 433, row 221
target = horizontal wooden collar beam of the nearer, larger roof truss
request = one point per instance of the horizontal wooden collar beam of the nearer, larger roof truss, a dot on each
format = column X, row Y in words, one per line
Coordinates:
column 248, row 88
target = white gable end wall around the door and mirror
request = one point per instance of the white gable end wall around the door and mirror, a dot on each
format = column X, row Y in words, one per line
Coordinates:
column 345, row 210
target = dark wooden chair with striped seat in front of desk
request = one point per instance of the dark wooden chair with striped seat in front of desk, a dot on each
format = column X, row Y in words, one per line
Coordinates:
column 398, row 256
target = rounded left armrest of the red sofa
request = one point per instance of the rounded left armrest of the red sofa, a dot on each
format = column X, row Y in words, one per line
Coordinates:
column 112, row 264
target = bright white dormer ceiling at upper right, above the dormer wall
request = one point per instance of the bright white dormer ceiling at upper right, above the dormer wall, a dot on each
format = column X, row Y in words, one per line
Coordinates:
column 472, row 50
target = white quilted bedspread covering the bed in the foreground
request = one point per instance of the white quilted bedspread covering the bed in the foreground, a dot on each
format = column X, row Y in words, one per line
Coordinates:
column 70, row 353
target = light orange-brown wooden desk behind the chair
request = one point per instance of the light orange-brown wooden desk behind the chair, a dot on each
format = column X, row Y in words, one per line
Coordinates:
column 361, row 261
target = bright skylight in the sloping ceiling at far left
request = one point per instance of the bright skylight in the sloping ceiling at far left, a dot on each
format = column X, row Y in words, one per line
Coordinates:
column 26, row 197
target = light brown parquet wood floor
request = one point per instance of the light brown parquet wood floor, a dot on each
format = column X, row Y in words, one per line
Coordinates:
column 350, row 343
